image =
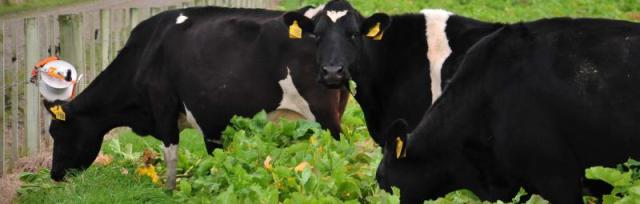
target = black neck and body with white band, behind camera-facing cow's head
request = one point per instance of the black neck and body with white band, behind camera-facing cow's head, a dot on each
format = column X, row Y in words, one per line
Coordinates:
column 394, row 79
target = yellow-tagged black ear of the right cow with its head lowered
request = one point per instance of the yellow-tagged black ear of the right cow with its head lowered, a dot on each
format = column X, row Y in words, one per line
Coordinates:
column 396, row 136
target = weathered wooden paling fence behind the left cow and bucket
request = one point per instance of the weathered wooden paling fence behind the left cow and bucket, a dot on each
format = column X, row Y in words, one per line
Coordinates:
column 87, row 39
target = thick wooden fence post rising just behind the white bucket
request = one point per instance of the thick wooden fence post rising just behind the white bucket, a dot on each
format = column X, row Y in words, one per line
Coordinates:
column 71, row 48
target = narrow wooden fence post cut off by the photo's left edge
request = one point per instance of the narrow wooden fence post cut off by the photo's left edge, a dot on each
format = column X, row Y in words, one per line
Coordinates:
column 4, row 95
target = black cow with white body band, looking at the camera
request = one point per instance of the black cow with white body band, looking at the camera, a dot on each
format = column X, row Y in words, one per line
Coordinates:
column 400, row 63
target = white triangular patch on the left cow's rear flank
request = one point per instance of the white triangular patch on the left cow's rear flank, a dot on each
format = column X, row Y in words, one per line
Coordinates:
column 292, row 100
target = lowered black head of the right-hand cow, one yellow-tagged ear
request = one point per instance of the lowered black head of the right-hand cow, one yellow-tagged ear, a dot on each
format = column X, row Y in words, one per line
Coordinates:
column 417, row 178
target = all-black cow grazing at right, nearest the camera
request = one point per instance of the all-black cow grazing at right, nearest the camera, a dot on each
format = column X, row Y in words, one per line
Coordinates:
column 531, row 105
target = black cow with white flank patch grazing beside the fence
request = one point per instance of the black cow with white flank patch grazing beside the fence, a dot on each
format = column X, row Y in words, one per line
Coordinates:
column 201, row 65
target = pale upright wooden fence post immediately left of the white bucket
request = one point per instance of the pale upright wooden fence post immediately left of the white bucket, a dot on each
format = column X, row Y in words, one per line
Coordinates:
column 32, row 119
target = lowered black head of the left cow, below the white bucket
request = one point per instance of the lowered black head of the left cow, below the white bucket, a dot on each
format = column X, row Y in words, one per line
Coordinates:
column 76, row 141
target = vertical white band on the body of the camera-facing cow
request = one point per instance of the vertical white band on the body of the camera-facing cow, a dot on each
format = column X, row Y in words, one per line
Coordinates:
column 438, row 45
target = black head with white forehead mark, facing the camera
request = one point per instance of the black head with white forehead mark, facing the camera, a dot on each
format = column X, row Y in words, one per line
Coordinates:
column 339, row 31
